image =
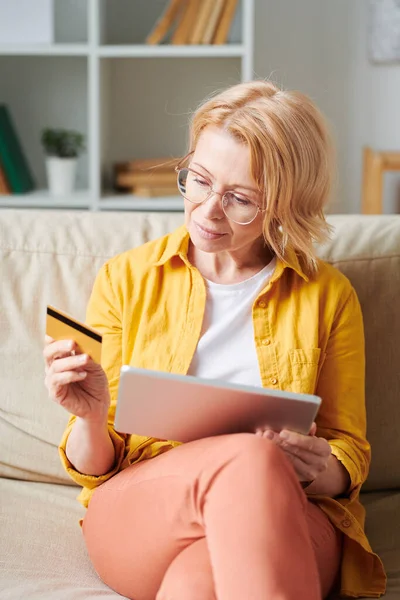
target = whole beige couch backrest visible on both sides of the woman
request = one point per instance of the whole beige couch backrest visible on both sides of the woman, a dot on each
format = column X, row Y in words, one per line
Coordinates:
column 52, row 257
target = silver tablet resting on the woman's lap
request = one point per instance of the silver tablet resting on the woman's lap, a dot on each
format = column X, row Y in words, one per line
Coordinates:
column 185, row 408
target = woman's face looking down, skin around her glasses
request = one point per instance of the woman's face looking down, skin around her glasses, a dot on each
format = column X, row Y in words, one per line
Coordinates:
column 225, row 164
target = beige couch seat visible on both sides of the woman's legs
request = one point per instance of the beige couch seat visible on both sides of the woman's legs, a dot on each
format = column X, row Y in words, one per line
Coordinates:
column 43, row 555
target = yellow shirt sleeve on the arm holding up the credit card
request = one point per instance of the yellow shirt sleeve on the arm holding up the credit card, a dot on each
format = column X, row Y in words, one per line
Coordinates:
column 103, row 314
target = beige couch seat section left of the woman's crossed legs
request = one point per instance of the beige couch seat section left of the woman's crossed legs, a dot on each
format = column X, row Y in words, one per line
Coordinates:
column 43, row 555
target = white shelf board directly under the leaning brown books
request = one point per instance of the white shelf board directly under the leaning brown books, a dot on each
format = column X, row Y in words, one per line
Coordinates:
column 169, row 50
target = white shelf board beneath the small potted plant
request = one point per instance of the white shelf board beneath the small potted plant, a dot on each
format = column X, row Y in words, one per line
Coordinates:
column 42, row 199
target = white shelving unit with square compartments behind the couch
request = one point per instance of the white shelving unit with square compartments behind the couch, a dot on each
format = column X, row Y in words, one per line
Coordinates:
column 131, row 100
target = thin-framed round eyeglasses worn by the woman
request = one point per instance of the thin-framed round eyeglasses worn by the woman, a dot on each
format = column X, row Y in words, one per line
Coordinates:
column 195, row 188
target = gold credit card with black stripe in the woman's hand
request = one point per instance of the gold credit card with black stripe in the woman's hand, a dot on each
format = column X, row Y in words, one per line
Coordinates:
column 61, row 326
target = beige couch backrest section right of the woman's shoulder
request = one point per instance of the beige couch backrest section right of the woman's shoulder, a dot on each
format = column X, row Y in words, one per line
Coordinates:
column 367, row 250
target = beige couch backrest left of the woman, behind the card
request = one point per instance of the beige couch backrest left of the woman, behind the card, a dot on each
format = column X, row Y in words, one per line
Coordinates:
column 49, row 257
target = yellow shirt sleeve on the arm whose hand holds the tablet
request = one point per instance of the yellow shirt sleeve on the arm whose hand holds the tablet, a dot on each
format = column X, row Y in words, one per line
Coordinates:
column 341, row 385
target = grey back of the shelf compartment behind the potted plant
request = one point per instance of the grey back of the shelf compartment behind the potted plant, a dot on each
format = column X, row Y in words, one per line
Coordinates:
column 36, row 89
